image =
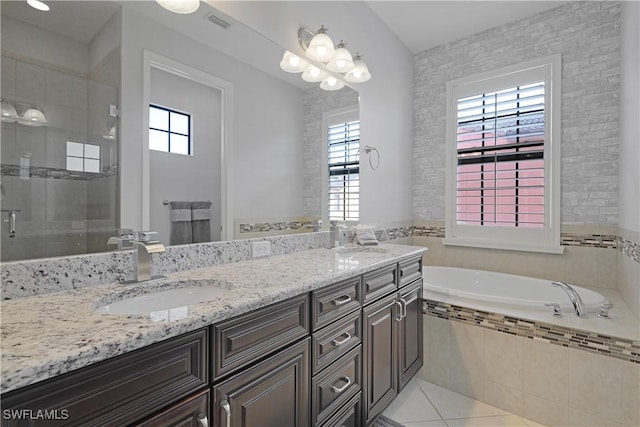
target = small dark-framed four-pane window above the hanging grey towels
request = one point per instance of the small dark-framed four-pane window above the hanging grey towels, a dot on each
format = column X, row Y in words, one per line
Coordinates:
column 169, row 130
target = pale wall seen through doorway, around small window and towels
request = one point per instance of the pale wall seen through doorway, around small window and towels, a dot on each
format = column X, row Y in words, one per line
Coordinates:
column 186, row 178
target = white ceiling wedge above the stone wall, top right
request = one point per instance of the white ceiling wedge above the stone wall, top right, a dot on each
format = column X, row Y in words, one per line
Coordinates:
column 422, row 25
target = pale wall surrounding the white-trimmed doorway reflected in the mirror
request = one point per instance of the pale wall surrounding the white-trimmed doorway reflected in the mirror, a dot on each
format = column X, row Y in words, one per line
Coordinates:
column 267, row 124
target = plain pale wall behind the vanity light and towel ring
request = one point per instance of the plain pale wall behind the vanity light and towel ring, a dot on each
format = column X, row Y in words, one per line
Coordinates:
column 386, row 110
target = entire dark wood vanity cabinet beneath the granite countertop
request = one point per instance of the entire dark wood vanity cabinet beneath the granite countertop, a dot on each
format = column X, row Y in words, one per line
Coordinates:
column 336, row 356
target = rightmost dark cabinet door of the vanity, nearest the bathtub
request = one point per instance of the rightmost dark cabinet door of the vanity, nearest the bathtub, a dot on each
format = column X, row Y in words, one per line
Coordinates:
column 410, row 332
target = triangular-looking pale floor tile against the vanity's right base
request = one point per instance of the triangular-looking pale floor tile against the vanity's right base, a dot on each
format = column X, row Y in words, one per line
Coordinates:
column 411, row 406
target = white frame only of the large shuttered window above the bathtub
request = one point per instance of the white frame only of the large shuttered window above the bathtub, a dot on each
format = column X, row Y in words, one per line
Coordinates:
column 547, row 238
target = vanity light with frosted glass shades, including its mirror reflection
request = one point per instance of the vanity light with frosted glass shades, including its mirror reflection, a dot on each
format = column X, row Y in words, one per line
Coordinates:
column 332, row 66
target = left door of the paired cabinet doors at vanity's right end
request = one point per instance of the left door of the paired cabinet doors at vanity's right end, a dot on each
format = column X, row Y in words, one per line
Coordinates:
column 380, row 377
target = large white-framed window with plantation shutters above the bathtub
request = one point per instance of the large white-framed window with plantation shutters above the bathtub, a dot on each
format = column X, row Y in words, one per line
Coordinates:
column 503, row 158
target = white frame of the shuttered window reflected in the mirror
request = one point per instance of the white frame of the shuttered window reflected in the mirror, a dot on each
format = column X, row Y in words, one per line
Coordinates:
column 332, row 118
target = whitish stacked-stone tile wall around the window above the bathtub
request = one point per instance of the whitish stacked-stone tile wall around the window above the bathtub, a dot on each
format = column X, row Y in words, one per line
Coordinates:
column 587, row 35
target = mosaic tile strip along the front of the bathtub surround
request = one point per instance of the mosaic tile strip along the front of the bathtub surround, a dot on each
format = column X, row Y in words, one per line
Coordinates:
column 557, row 335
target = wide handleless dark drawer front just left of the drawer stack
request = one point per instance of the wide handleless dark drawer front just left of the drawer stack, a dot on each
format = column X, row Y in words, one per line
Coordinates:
column 247, row 338
